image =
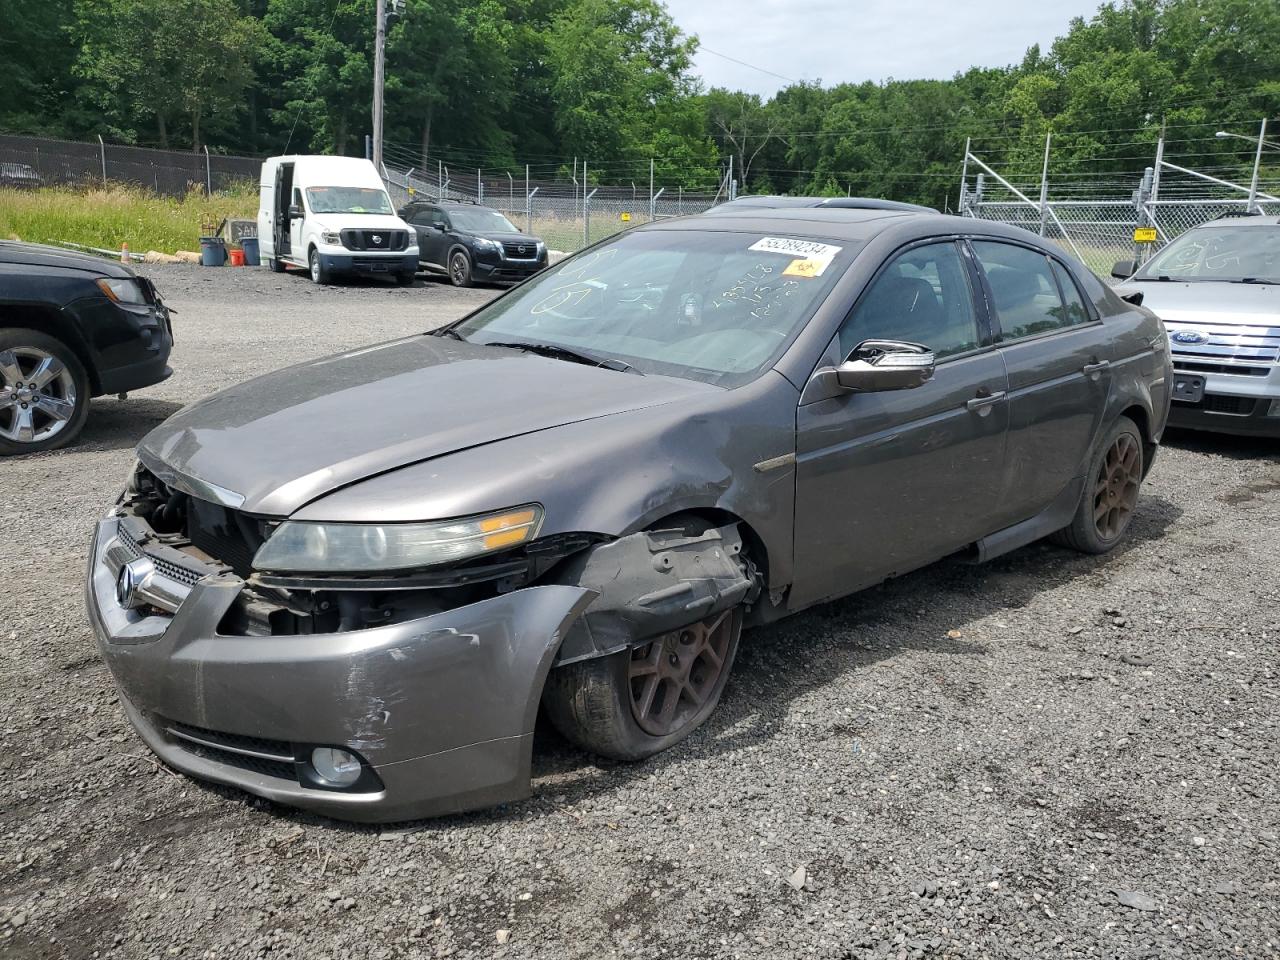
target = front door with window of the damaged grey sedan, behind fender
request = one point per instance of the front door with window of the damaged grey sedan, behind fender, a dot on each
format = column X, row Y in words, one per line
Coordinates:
column 890, row 482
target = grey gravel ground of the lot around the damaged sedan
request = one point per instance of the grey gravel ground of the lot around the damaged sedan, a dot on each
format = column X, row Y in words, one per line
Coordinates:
column 1050, row 757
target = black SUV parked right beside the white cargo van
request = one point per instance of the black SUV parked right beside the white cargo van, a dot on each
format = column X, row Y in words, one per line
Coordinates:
column 472, row 243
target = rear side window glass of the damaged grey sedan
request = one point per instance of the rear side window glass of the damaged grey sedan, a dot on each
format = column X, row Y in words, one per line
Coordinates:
column 1026, row 292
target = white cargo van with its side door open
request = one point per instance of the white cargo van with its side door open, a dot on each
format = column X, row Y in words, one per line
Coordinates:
column 332, row 216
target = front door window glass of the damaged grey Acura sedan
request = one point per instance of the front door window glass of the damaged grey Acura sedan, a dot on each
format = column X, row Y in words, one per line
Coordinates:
column 922, row 296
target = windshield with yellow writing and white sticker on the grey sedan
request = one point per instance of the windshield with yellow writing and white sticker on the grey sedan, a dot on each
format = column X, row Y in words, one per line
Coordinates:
column 702, row 305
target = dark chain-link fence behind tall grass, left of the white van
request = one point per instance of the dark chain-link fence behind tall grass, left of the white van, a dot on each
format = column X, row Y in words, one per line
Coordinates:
column 36, row 162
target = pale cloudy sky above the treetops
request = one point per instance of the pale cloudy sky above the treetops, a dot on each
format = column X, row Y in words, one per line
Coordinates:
column 838, row 42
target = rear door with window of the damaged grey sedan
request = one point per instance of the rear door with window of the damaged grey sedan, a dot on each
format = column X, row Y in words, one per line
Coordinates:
column 1058, row 354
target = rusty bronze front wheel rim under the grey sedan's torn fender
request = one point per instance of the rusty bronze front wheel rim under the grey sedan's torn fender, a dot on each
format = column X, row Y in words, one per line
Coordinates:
column 674, row 675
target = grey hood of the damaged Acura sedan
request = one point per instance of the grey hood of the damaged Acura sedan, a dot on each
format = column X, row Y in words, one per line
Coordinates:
column 284, row 440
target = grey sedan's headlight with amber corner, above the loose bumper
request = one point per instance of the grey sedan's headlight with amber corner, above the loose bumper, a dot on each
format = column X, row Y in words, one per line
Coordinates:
column 351, row 548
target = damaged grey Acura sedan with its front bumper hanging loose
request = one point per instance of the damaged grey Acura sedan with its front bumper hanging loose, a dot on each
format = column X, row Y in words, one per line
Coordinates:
column 350, row 586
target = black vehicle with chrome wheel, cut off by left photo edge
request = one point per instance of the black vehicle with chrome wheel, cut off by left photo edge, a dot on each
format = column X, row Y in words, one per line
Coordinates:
column 72, row 327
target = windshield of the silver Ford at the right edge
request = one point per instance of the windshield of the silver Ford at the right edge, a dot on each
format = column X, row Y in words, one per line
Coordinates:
column 1219, row 254
